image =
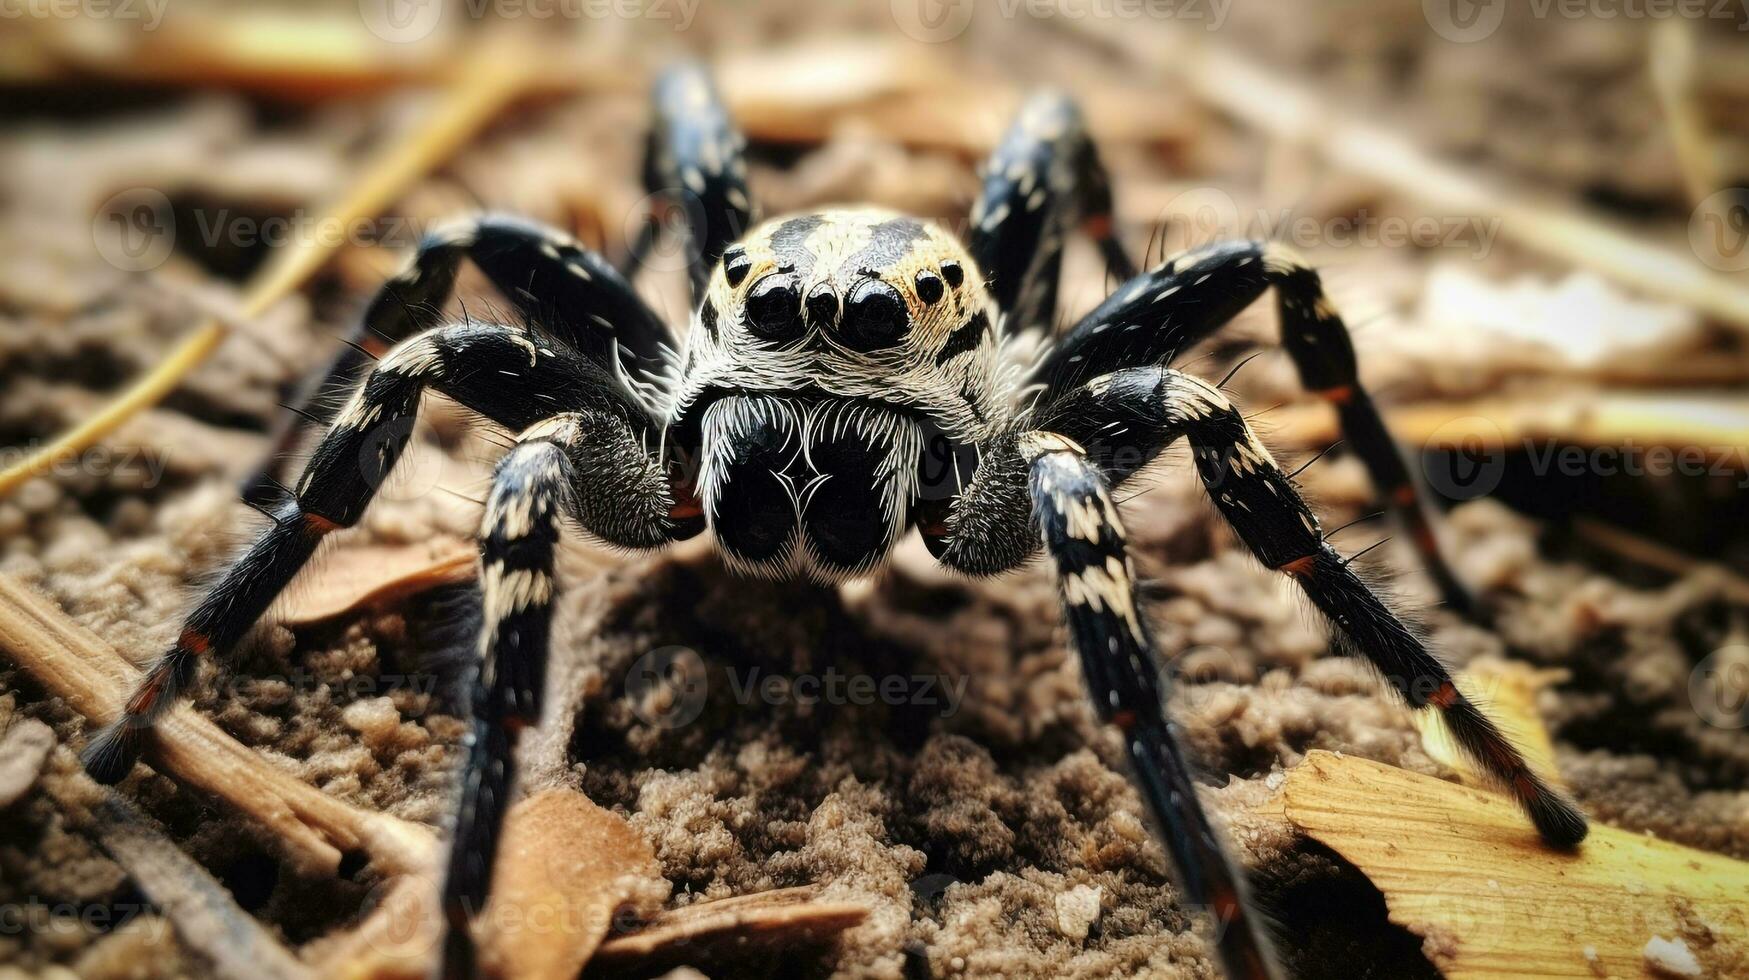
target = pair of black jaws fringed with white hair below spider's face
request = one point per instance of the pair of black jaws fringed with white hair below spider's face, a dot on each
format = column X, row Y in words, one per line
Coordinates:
column 814, row 487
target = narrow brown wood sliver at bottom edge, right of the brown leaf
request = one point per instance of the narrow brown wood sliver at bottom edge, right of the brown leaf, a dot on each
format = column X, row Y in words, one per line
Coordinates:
column 734, row 928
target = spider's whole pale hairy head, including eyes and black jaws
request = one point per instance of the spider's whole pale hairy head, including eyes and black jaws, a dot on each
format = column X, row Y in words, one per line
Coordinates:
column 832, row 368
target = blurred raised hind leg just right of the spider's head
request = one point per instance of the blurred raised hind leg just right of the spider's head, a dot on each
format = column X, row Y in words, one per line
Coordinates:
column 1043, row 181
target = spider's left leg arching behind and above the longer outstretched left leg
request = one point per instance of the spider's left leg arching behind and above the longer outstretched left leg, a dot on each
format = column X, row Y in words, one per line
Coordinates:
column 552, row 281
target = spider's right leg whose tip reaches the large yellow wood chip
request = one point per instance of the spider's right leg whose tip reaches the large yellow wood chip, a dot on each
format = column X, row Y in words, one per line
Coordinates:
column 1129, row 417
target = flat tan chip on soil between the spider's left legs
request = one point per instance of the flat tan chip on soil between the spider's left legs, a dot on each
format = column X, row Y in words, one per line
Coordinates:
column 372, row 577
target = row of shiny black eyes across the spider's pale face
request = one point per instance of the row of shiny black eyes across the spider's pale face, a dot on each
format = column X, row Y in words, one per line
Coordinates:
column 874, row 318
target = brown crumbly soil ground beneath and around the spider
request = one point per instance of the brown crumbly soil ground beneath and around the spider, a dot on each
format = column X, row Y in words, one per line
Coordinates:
column 970, row 809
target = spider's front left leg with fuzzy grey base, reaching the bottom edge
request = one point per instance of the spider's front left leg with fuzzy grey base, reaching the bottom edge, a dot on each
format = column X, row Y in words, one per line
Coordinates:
column 587, row 468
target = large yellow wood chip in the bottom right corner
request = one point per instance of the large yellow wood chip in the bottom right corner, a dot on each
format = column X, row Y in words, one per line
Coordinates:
column 1467, row 872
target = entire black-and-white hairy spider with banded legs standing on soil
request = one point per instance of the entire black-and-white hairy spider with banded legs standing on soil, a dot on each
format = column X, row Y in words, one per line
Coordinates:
column 846, row 379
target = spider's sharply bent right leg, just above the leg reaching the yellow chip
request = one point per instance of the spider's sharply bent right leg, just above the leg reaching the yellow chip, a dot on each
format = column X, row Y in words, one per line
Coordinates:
column 1190, row 297
